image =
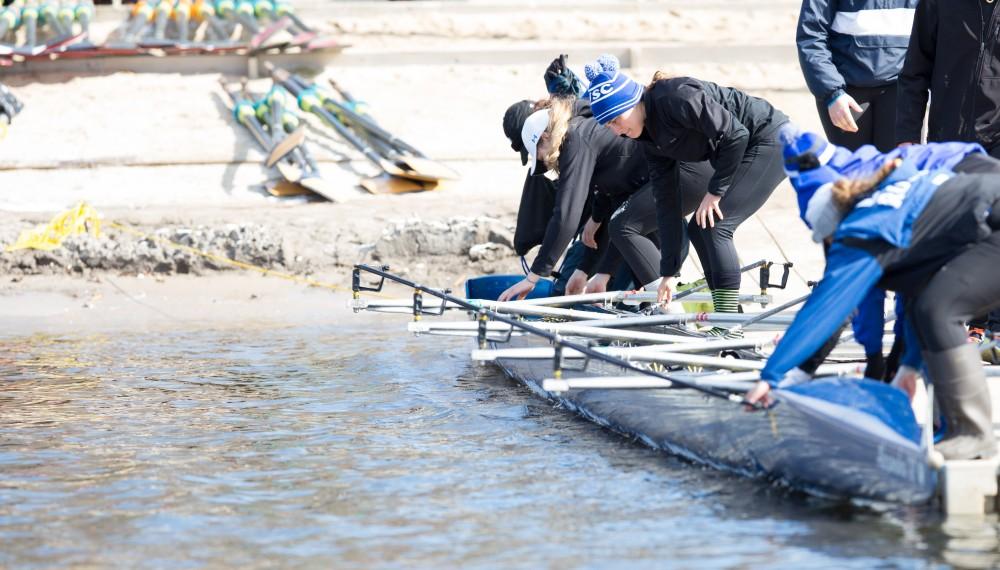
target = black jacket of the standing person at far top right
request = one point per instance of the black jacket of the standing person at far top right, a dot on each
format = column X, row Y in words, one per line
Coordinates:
column 955, row 56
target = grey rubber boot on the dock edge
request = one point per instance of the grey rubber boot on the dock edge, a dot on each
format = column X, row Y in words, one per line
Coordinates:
column 964, row 400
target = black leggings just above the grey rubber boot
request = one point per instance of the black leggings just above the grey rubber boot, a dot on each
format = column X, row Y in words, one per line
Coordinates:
column 963, row 287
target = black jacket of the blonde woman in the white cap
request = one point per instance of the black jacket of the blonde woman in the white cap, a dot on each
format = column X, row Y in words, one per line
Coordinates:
column 592, row 161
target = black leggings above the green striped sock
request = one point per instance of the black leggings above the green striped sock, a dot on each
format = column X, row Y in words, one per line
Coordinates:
column 754, row 181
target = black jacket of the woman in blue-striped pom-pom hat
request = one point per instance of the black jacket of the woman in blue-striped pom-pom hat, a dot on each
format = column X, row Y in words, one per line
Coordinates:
column 692, row 120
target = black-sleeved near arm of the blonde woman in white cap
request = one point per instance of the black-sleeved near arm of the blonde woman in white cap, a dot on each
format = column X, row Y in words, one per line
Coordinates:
column 576, row 166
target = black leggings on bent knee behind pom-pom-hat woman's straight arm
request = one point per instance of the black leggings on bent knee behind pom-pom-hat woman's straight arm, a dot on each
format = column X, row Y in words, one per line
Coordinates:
column 633, row 228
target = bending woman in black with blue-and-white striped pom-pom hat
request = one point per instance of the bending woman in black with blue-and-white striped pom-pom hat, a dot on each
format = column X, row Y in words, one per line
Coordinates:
column 683, row 119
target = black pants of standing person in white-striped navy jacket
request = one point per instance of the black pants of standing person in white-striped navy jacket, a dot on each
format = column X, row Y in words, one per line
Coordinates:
column 876, row 125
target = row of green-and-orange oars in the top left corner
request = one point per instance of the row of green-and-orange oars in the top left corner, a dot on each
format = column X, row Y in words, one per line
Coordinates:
column 33, row 28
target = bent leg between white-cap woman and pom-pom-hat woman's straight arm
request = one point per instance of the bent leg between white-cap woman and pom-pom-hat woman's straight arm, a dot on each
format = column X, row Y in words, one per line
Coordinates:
column 629, row 228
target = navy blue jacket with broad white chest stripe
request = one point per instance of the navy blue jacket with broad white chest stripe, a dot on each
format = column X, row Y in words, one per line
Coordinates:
column 861, row 43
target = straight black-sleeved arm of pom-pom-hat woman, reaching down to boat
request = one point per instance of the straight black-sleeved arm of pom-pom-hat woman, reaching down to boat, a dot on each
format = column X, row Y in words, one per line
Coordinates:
column 670, row 222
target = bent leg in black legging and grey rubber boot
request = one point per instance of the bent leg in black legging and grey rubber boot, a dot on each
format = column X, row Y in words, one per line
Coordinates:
column 960, row 289
